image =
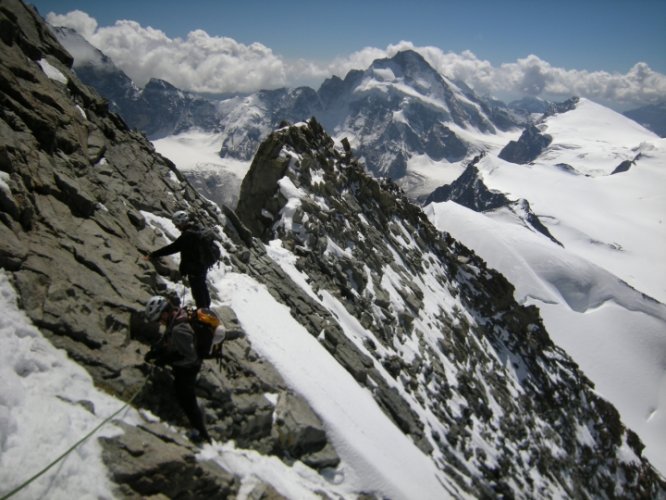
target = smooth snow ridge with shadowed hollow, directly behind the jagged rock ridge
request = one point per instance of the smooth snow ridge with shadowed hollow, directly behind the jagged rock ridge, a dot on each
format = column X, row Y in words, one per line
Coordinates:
column 612, row 331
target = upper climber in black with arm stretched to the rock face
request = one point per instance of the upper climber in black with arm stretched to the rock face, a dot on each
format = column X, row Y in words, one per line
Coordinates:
column 191, row 265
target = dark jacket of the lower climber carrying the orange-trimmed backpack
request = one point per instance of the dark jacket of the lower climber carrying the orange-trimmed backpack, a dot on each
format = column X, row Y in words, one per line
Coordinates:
column 177, row 346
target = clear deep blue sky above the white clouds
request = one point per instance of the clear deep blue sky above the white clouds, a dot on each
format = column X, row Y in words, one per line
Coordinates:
column 609, row 35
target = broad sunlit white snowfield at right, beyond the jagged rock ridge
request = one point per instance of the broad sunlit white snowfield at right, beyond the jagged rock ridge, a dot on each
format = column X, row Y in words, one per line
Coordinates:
column 602, row 294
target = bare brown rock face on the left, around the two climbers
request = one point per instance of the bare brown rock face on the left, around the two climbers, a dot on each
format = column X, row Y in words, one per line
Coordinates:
column 79, row 196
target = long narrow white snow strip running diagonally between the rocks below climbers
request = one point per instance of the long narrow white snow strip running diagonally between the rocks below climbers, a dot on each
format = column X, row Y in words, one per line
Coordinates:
column 376, row 455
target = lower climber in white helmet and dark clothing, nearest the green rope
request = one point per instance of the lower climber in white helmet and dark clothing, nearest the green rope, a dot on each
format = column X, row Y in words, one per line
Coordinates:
column 176, row 348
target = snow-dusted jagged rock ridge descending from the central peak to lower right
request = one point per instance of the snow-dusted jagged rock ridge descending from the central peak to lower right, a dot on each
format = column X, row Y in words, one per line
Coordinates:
column 485, row 375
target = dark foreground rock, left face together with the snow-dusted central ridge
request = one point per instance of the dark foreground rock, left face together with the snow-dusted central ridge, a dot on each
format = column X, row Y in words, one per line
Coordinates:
column 468, row 375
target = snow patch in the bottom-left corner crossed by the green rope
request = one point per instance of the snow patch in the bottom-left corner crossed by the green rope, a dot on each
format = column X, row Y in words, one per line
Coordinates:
column 37, row 380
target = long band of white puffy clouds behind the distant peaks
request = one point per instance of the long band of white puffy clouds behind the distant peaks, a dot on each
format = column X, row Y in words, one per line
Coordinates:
column 204, row 63
